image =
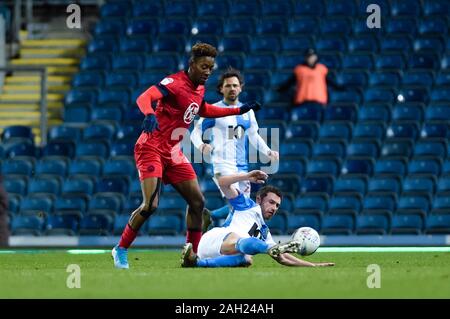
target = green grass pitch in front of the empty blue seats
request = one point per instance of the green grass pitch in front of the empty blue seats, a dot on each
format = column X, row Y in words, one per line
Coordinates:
column 157, row 274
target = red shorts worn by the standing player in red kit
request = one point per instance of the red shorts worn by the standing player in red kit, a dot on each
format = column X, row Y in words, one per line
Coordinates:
column 172, row 167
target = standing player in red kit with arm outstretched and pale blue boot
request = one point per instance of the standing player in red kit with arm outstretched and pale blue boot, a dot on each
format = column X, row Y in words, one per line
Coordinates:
column 157, row 151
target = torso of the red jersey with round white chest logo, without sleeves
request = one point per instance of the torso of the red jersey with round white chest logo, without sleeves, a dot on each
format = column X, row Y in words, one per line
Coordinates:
column 176, row 110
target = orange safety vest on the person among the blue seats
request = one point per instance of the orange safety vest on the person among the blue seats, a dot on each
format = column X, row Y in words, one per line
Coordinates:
column 311, row 83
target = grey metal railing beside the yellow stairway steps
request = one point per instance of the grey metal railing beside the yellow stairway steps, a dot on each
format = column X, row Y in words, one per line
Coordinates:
column 43, row 123
